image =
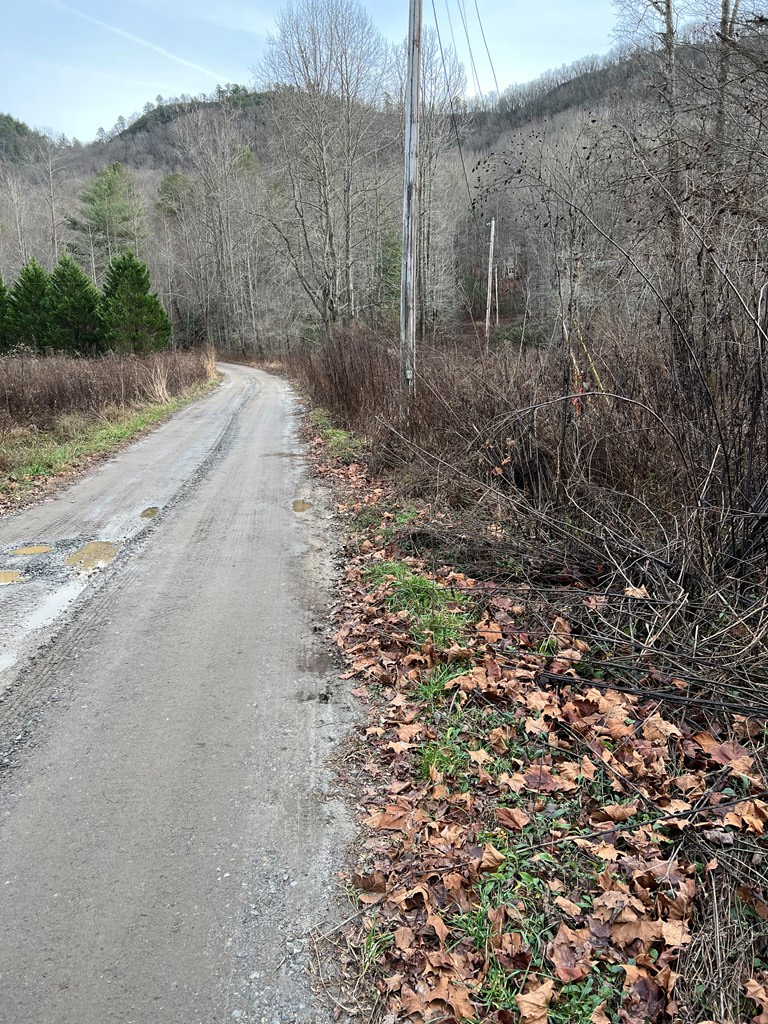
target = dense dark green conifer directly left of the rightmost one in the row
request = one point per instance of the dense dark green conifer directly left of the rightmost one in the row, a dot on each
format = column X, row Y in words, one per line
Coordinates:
column 71, row 306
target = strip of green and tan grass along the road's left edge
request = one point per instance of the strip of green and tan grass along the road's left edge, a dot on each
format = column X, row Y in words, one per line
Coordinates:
column 29, row 454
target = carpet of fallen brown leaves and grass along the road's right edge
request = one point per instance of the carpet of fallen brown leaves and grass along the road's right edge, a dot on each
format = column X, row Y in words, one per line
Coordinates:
column 539, row 845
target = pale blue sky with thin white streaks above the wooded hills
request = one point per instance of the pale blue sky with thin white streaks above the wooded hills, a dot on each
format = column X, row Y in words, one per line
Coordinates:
column 77, row 66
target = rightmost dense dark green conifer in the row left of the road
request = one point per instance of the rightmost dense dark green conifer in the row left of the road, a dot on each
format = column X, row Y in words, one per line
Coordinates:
column 133, row 318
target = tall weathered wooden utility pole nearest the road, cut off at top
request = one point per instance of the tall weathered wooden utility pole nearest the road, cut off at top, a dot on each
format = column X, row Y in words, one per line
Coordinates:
column 411, row 214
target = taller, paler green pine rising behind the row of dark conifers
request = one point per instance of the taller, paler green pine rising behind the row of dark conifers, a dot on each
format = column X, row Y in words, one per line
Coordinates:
column 110, row 219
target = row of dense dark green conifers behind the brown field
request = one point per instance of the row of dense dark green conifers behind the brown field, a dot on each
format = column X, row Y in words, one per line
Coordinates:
column 64, row 312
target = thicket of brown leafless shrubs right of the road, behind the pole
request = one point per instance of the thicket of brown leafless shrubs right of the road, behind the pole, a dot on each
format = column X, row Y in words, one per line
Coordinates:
column 616, row 456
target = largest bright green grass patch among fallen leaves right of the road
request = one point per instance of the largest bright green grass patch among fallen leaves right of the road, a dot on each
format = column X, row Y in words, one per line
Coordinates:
column 437, row 614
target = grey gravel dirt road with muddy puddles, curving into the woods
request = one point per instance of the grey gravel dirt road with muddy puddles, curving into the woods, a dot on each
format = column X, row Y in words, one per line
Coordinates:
column 167, row 830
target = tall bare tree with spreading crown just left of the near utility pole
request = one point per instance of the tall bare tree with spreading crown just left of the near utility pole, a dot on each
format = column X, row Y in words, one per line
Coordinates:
column 326, row 67
